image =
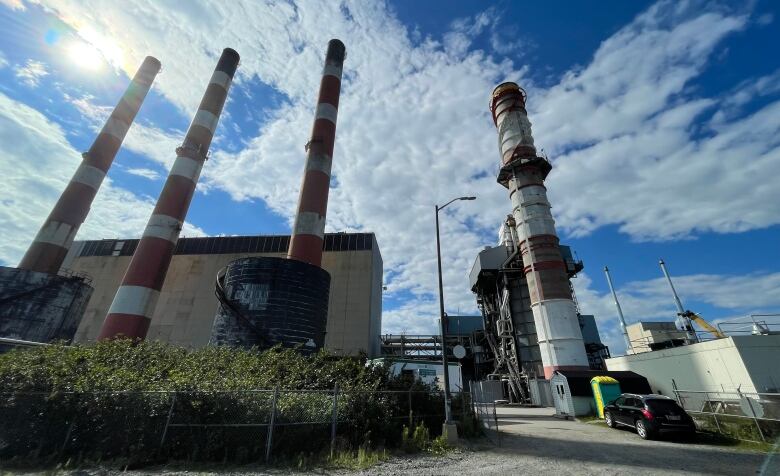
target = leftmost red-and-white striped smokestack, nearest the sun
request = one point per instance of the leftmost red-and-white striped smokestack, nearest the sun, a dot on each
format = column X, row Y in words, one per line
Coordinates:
column 53, row 241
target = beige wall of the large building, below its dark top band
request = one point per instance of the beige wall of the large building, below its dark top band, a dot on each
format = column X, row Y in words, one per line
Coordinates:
column 185, row 311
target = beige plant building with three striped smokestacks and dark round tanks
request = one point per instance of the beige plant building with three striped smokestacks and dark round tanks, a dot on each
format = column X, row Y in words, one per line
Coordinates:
column 269, row 290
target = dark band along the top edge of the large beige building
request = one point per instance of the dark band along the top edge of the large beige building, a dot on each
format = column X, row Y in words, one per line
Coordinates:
column 230, row 244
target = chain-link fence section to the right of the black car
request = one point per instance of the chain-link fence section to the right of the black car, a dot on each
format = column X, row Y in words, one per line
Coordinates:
column 741, row 415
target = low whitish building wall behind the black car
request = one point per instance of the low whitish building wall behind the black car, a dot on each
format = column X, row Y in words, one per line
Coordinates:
column 745, row 362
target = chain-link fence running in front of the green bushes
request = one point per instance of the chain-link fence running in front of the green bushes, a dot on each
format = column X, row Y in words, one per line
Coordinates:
column 239, row 426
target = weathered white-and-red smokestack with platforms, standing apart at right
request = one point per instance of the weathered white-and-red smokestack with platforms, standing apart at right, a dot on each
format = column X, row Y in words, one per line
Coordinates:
column 523, row 173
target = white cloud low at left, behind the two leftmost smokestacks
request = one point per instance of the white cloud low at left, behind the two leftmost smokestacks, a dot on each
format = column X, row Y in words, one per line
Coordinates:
column 37, row 163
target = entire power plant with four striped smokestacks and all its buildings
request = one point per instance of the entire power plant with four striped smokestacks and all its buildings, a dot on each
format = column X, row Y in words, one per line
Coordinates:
column 310, row 290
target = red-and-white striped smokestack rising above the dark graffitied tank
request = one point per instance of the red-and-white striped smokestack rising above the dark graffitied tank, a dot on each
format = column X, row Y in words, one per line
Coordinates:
column 309, row 229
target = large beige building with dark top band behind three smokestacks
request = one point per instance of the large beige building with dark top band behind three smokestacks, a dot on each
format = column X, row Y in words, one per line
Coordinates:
column 187, row 305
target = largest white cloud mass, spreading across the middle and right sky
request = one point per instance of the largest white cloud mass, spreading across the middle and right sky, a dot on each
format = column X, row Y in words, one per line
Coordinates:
column 414, row 129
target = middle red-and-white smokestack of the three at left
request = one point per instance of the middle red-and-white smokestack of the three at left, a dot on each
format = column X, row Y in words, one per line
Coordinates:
column 135, row 300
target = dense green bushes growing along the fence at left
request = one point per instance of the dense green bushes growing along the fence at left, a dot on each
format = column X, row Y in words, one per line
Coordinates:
column 145, row 402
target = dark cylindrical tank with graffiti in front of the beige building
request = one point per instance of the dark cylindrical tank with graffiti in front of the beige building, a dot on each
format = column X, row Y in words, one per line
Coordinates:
column 268, row 301
